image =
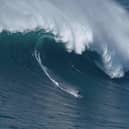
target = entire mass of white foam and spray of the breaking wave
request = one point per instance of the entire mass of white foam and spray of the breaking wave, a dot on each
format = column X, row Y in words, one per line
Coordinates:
column 95, row 25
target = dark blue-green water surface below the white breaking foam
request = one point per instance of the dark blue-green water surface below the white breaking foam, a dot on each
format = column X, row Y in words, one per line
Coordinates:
column 29, row 99
